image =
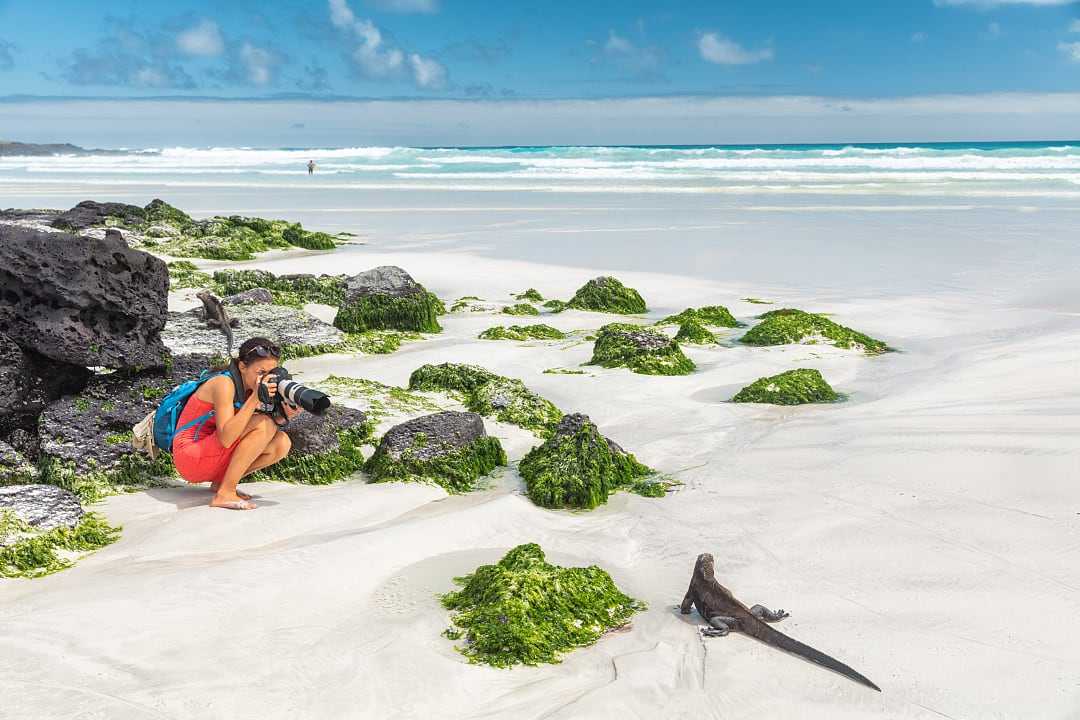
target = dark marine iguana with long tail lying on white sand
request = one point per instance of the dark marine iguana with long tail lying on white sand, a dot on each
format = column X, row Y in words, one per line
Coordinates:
column 725, row 614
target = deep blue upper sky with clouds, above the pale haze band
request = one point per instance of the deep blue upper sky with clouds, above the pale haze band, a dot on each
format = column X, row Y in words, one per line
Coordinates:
column 544, row 50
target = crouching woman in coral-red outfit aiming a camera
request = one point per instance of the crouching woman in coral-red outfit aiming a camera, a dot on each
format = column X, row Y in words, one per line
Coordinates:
column 234, row 442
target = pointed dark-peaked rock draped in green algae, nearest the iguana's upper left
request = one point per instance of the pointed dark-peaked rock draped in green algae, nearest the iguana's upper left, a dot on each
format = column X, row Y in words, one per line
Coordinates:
column 579, row 468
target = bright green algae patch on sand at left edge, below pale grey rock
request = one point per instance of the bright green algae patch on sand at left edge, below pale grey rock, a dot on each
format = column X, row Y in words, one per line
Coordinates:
column 34, row 554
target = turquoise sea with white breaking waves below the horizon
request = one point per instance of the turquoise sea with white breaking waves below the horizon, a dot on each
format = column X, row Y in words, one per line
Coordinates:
column 958, row 170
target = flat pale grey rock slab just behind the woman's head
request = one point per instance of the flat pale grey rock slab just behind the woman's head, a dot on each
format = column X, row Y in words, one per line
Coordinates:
column 188, row 334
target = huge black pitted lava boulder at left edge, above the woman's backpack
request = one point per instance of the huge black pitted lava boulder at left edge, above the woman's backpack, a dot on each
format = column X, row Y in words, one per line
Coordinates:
column 83, row 301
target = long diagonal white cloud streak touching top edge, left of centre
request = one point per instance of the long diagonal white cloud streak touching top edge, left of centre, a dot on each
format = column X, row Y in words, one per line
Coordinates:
column 380, row 60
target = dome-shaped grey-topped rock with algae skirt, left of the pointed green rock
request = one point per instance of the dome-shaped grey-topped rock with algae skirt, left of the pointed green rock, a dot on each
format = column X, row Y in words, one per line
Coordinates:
column 451, row 450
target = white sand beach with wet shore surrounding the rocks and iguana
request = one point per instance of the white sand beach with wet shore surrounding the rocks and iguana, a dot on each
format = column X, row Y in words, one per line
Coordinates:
column 926, row 532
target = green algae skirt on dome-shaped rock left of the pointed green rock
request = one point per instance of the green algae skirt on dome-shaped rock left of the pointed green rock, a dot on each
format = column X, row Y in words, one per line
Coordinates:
column 457, row 471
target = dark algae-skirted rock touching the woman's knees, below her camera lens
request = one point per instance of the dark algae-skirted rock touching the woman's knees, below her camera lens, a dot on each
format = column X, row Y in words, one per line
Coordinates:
column 326, row 449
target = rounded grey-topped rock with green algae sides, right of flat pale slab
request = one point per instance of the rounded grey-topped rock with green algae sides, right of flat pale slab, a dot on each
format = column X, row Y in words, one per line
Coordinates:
column 388, row 298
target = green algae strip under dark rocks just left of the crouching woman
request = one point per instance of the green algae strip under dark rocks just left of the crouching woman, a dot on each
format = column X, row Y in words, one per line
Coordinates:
column 134, row 472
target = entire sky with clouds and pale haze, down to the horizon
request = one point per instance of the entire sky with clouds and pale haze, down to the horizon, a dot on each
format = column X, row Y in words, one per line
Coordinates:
column 463, row 72
